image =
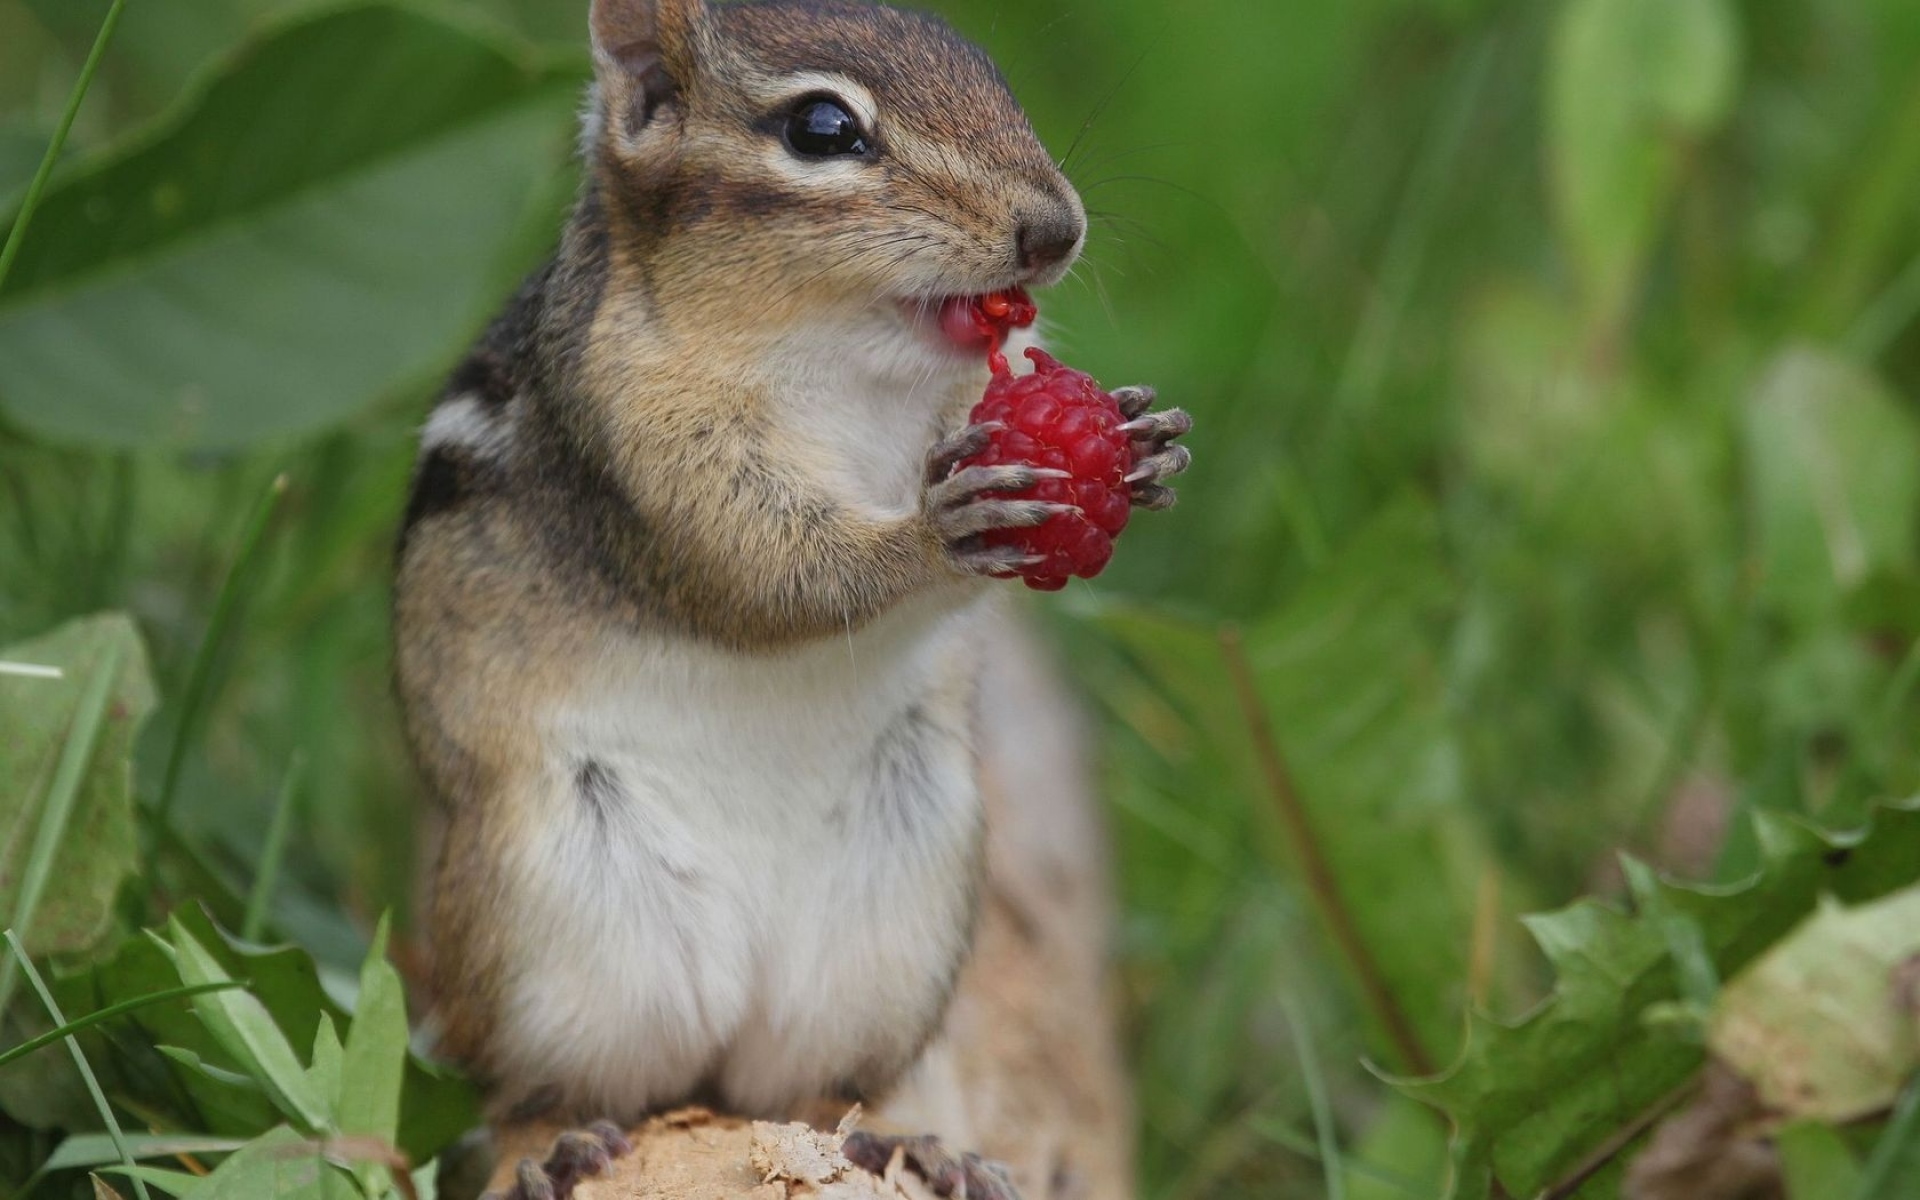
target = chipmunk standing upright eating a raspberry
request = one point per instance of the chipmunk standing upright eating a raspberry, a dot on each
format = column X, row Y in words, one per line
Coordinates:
column 688, row 588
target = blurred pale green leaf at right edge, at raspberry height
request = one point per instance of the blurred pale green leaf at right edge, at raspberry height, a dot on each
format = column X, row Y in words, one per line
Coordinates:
column 1835, row 483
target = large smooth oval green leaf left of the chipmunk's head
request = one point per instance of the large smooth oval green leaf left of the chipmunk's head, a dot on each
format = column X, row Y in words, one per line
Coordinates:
column 285, row 249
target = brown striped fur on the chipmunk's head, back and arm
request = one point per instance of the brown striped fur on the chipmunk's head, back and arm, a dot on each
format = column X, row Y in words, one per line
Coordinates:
column 625, row 452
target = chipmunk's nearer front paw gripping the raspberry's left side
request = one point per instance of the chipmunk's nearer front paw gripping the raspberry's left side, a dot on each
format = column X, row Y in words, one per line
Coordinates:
column 961, row 506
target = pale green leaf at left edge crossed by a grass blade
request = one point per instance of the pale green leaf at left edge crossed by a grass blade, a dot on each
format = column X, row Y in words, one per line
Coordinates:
column 97, row 850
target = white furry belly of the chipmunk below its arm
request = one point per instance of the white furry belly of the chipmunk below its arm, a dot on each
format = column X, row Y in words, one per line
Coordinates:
column 765, row 875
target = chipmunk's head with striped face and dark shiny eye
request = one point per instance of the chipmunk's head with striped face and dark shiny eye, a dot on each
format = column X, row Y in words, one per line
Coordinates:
column 817, row 162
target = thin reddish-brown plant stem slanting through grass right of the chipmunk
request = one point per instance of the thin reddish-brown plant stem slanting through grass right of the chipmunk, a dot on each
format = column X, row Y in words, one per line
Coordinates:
column 1322, row 884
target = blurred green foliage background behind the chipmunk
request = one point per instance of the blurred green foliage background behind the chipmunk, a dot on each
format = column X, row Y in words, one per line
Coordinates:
column 1558, row 466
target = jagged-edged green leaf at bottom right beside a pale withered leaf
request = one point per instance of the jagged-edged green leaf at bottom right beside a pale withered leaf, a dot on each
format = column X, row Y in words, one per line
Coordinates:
column 1533, row 1099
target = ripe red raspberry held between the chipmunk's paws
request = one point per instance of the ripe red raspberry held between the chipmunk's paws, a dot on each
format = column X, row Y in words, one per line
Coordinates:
column 1059, row 418
